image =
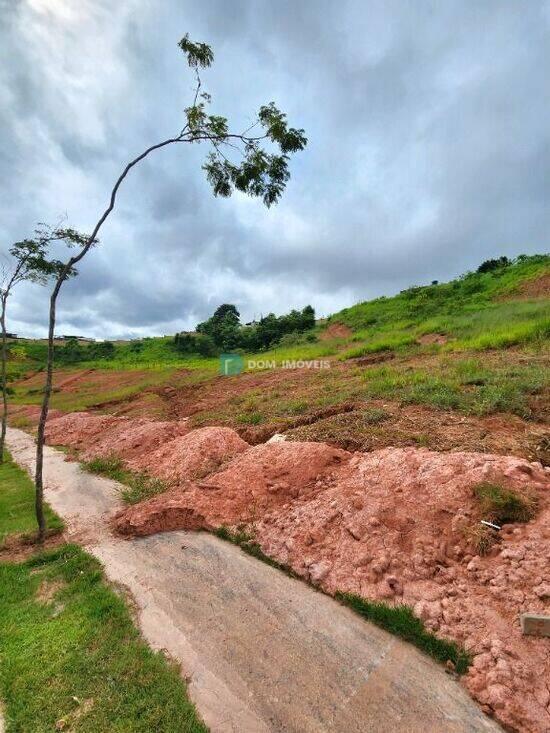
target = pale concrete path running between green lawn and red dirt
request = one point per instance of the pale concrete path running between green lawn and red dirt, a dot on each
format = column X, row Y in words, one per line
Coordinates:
column 261, row 652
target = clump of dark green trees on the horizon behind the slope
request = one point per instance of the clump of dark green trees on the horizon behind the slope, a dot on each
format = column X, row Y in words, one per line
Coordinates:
column 223, row 331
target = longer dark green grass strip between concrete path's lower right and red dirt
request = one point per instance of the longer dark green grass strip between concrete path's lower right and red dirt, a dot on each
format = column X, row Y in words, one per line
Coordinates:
column 401, row 621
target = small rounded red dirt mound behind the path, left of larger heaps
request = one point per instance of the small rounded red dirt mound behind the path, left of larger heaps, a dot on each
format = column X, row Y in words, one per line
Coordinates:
column 193, row 455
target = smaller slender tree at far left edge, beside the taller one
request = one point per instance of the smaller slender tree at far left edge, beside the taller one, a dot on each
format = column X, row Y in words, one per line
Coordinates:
column 27, row 261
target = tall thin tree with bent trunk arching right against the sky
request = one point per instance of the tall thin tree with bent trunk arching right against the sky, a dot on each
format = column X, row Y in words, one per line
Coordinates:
column 254, row 161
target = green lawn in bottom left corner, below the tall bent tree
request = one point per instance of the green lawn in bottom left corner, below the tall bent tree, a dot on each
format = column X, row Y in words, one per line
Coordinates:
column 72, row 658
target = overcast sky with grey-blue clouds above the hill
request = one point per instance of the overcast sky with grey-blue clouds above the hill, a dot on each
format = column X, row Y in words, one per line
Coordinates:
column 429, row 150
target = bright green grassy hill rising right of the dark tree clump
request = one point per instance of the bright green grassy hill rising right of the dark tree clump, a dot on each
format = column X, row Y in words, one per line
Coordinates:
column 479, row 310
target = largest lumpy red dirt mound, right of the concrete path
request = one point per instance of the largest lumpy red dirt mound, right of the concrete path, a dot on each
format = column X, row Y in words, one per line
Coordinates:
column 394, row 525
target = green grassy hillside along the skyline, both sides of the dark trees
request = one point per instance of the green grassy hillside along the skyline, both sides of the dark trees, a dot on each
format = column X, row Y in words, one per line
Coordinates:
column 507, row 306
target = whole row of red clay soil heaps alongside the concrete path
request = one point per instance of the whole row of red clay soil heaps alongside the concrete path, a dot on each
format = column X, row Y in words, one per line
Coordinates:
column 396, row 524
